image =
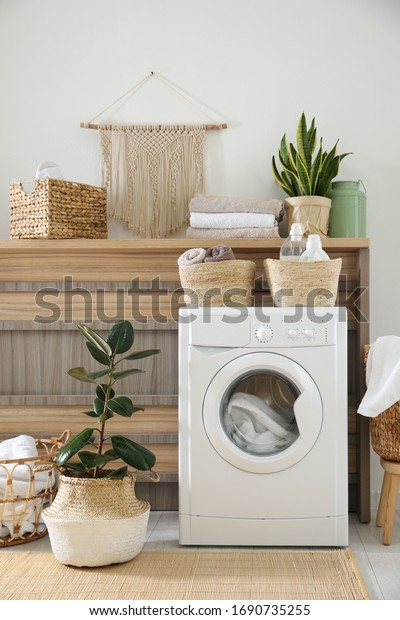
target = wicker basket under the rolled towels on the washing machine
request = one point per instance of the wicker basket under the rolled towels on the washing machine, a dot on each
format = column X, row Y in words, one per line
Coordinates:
column 224, row 283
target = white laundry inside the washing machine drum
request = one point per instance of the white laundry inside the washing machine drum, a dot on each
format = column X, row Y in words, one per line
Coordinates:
column 254, row 425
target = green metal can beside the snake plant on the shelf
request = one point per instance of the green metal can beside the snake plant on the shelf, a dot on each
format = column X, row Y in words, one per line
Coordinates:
column 348, row 211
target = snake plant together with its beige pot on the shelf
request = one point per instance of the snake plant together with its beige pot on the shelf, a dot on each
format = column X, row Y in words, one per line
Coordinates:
column 307, row 177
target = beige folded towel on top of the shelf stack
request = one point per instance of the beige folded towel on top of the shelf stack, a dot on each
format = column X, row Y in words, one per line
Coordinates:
column 202, row 203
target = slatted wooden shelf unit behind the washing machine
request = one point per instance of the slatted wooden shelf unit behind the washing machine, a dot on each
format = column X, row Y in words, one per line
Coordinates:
column 105, row 280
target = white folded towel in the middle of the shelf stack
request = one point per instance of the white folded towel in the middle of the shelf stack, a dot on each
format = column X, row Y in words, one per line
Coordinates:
column 231, row 220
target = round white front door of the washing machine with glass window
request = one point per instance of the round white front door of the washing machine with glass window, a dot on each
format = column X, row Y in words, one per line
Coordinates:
column 262, row 412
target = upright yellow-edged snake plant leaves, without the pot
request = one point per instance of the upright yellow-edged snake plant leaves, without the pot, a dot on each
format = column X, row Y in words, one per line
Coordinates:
column 304, row 174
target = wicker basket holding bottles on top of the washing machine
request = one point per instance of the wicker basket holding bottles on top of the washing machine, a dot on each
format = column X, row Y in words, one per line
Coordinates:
column 295, row 283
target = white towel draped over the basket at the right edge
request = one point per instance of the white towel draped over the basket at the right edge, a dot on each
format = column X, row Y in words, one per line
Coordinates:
column 382, row 376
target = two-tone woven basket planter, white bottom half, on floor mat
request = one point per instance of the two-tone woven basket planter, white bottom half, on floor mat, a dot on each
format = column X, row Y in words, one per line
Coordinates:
column 96, row 521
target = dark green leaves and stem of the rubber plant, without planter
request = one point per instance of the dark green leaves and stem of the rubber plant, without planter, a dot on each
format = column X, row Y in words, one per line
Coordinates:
column 109, row 353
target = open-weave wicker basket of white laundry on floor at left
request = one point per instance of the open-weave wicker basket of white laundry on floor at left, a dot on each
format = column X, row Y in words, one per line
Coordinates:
column 41, row 485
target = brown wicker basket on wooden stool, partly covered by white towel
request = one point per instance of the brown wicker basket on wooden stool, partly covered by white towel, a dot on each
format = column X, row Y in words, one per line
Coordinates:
column 385, row 428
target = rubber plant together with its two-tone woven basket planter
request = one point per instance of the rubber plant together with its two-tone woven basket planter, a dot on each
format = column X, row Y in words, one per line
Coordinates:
column 96, row 518
